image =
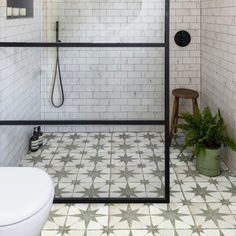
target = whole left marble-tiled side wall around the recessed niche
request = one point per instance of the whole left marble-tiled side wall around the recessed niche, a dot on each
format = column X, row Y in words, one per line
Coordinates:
column 20, row 83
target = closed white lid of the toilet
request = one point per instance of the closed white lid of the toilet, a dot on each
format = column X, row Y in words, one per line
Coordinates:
column 23, row 192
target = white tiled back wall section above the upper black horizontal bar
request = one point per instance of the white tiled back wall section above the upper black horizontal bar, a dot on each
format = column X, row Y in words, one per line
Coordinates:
column 107, row 21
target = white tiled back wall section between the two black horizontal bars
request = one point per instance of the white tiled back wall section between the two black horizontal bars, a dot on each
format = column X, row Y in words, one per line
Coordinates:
column 125, row 83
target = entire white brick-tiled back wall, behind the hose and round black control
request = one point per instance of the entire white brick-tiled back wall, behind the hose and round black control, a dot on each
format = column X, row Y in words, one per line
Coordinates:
column 117, row 83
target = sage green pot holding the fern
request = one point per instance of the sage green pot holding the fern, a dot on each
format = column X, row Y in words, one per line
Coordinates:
column 209, row 164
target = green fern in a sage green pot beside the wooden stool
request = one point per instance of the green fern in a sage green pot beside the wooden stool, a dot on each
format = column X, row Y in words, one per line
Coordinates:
column 206, row 133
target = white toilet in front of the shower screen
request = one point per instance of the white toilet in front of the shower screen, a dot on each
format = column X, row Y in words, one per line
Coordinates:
column 26, row 196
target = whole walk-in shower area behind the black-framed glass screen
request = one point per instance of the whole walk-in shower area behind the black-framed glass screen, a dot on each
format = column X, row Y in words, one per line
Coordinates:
column 94, row 75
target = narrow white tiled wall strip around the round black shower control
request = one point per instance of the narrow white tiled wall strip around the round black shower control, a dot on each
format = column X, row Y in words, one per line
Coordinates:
column 185, row 62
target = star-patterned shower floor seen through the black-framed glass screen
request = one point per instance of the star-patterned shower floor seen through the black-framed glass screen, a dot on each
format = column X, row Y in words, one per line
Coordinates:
column 96, row 165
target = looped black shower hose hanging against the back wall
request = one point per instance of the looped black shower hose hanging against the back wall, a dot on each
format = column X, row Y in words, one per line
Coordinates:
column 57, row 69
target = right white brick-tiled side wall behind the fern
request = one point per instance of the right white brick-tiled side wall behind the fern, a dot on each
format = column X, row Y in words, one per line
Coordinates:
column 218, row 62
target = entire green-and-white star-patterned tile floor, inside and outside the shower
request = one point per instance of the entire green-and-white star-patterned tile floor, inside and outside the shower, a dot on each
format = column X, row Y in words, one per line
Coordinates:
column 199, row 205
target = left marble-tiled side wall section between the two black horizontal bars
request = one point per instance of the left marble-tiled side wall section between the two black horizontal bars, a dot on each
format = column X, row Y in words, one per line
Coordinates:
column 20, row 80
